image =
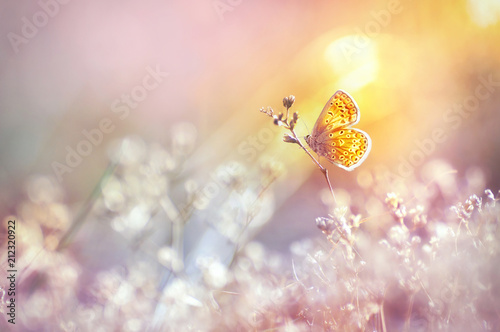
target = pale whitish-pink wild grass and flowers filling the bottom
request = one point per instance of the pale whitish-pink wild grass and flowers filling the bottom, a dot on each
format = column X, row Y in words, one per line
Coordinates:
column 156, row 249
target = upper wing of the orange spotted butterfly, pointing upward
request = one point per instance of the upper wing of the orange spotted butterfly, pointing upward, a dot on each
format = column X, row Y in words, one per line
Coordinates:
column 340, row 111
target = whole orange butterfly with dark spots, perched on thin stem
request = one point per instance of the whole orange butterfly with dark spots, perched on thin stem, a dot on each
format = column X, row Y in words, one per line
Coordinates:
column 332, row 136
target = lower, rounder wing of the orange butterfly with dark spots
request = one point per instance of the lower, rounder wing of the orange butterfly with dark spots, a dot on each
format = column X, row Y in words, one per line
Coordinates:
column 346, row 147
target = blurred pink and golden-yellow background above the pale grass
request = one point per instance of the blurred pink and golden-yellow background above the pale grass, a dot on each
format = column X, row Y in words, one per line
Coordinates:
column 187, row 78
